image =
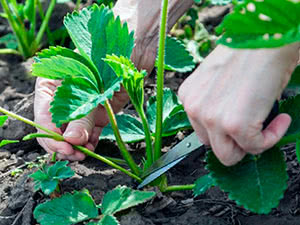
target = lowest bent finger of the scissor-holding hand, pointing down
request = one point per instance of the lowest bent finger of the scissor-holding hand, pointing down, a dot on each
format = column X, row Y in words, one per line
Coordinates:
column 225, row 149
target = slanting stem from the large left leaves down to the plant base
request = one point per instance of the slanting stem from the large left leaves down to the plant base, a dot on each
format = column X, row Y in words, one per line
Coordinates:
column 126, row 155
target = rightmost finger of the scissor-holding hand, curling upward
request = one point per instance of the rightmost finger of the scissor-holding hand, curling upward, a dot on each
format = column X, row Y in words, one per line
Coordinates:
column 266, row 139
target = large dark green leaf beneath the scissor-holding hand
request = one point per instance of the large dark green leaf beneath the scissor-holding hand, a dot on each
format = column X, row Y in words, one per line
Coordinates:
column 257, row 182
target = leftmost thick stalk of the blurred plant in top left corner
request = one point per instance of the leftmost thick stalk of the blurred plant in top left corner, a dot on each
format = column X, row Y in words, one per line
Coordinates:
column 16, row 29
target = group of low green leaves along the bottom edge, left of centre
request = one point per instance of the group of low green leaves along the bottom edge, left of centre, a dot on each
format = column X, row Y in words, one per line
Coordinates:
column 80, row 206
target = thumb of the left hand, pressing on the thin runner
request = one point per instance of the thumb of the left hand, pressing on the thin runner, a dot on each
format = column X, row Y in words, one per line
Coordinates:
column 79, row 131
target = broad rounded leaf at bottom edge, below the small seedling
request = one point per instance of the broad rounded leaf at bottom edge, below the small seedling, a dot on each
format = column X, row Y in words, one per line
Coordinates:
column 66, row 210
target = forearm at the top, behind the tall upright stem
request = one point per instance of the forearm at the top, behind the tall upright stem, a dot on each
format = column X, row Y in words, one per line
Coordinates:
column 142, row 17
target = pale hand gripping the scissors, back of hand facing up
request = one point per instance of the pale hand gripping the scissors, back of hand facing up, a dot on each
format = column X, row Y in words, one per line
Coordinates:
column 230, row 95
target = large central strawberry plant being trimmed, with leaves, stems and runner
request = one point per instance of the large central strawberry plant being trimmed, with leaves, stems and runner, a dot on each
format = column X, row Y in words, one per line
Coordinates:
column 91, row 77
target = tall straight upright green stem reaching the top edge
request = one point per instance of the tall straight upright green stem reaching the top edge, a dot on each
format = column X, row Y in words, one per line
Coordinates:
column 160, row 80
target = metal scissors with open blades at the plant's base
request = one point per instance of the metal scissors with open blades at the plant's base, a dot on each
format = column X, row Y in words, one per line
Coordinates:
column 183, row 149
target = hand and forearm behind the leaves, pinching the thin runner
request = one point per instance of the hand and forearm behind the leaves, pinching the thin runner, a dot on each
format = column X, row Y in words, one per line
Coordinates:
column 142, row 16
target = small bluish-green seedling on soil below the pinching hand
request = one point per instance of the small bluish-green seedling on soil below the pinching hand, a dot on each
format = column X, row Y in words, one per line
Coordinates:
column 47, row 178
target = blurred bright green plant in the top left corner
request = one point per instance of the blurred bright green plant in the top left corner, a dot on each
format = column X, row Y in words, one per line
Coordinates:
column 26, row 40
